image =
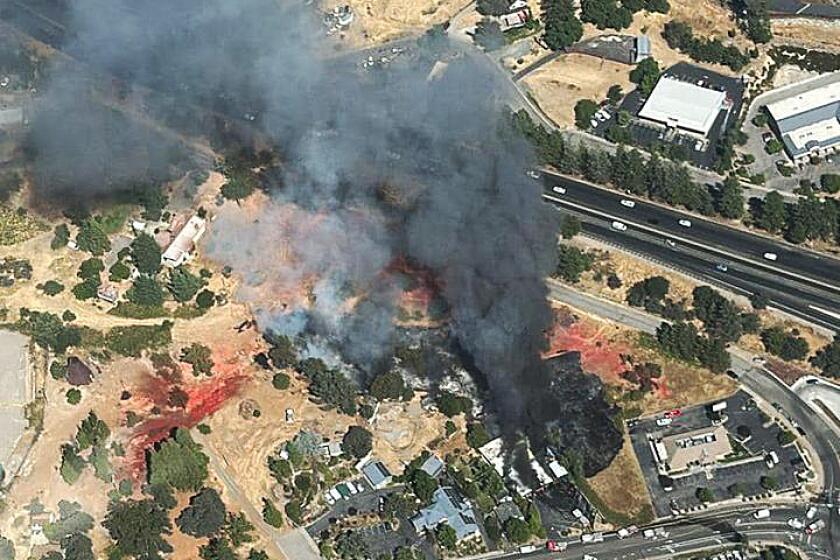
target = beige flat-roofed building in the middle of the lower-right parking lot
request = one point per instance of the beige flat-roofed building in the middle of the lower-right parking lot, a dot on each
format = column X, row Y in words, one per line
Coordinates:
column 701, row 447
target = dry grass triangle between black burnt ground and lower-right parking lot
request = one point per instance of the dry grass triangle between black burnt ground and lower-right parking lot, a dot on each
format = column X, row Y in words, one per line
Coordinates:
column 621, row 485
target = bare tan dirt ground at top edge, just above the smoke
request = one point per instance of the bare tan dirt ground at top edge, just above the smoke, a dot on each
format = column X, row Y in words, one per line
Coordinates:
column 378, row 21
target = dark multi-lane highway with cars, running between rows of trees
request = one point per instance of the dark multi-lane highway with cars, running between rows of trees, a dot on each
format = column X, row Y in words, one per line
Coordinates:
column 803, row 283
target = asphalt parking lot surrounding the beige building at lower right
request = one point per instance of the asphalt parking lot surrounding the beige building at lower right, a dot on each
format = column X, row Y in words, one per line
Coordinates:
column 745, row 467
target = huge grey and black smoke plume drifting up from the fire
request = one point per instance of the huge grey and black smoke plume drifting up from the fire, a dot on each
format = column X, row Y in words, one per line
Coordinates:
column 458, row 202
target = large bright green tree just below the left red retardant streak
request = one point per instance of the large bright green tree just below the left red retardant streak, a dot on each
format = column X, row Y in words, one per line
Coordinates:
column 178, row 462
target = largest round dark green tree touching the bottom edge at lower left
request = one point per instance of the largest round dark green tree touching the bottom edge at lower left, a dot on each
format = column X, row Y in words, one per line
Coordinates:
column 137, row 528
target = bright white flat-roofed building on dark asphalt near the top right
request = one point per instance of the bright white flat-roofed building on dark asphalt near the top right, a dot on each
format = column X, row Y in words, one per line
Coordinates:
column 680, row 104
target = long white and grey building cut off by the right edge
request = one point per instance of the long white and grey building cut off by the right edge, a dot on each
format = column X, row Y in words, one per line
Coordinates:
column 808, row 123
